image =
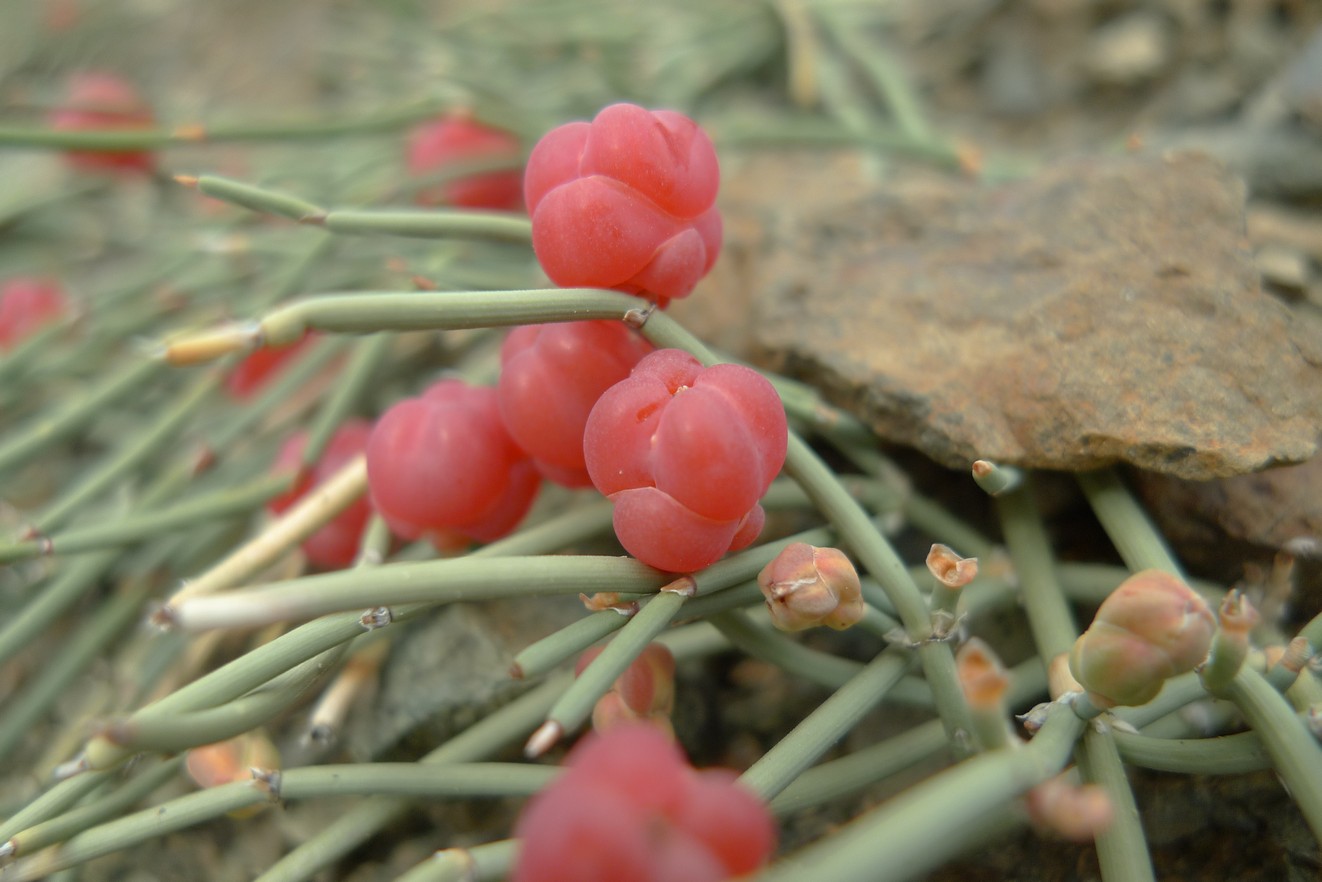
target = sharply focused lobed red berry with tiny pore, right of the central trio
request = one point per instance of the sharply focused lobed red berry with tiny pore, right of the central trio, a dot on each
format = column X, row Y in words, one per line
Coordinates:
column 685, row 453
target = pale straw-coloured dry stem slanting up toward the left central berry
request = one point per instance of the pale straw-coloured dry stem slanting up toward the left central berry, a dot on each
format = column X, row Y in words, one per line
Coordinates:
column 307, row 516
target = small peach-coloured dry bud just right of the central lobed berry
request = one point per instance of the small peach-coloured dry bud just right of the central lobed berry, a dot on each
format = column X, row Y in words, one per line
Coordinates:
column 808, row 586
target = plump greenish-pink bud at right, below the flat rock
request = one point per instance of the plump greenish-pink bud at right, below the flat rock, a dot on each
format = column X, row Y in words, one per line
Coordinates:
column 1151, row 629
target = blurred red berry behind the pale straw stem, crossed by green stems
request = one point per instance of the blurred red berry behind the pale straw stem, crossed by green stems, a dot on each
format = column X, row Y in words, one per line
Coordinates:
column 336, row 544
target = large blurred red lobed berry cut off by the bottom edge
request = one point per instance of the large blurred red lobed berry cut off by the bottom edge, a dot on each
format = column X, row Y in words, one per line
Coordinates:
column 630, row 809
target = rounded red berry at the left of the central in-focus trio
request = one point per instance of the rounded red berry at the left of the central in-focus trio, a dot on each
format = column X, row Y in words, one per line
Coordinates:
column 444, row 466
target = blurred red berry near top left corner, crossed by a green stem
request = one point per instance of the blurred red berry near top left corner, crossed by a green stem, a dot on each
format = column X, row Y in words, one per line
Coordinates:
column 102, row 101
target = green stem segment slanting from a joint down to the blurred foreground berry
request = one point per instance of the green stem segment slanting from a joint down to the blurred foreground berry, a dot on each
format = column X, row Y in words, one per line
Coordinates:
column 819, row 732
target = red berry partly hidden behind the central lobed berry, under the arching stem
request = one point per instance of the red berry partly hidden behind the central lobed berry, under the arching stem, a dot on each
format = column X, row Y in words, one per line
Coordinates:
column 551, row 379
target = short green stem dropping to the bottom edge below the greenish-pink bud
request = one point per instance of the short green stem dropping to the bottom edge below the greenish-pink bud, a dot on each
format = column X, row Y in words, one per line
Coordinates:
column 1122, row 847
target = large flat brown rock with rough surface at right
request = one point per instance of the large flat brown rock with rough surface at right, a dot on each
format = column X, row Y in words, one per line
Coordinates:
column 1103, row 311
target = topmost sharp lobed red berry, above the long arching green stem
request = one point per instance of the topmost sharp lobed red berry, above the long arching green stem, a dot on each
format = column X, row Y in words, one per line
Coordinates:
column 627, row 203
